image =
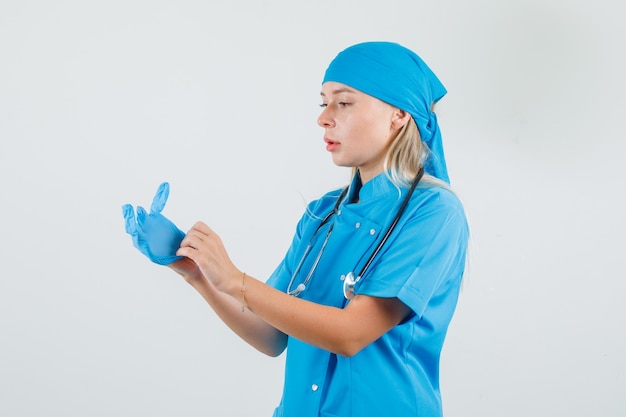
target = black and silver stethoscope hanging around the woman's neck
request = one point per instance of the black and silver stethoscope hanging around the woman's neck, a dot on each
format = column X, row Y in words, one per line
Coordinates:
column 349, row 280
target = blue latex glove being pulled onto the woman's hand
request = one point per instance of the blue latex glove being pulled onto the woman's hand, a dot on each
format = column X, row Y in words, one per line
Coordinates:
column 153, row 234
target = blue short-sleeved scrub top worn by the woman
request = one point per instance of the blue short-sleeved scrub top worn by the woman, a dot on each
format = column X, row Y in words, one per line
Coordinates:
column 421, row 264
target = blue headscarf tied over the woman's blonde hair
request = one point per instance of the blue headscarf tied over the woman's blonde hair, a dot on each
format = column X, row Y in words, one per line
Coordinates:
column 397, row 76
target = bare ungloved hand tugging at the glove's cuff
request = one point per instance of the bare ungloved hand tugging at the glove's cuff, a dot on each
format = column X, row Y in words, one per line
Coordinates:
column 203, row 246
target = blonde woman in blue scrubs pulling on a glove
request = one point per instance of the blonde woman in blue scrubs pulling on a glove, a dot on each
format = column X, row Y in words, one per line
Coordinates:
column 364, row 296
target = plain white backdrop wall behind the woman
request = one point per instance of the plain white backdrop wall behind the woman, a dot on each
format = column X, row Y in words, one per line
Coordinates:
column 102, row 101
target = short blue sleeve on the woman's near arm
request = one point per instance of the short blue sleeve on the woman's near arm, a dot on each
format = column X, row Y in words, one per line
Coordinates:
column 428, row 251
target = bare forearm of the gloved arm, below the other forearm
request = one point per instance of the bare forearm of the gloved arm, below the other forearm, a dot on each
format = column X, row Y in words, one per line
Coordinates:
column 251, row 328
